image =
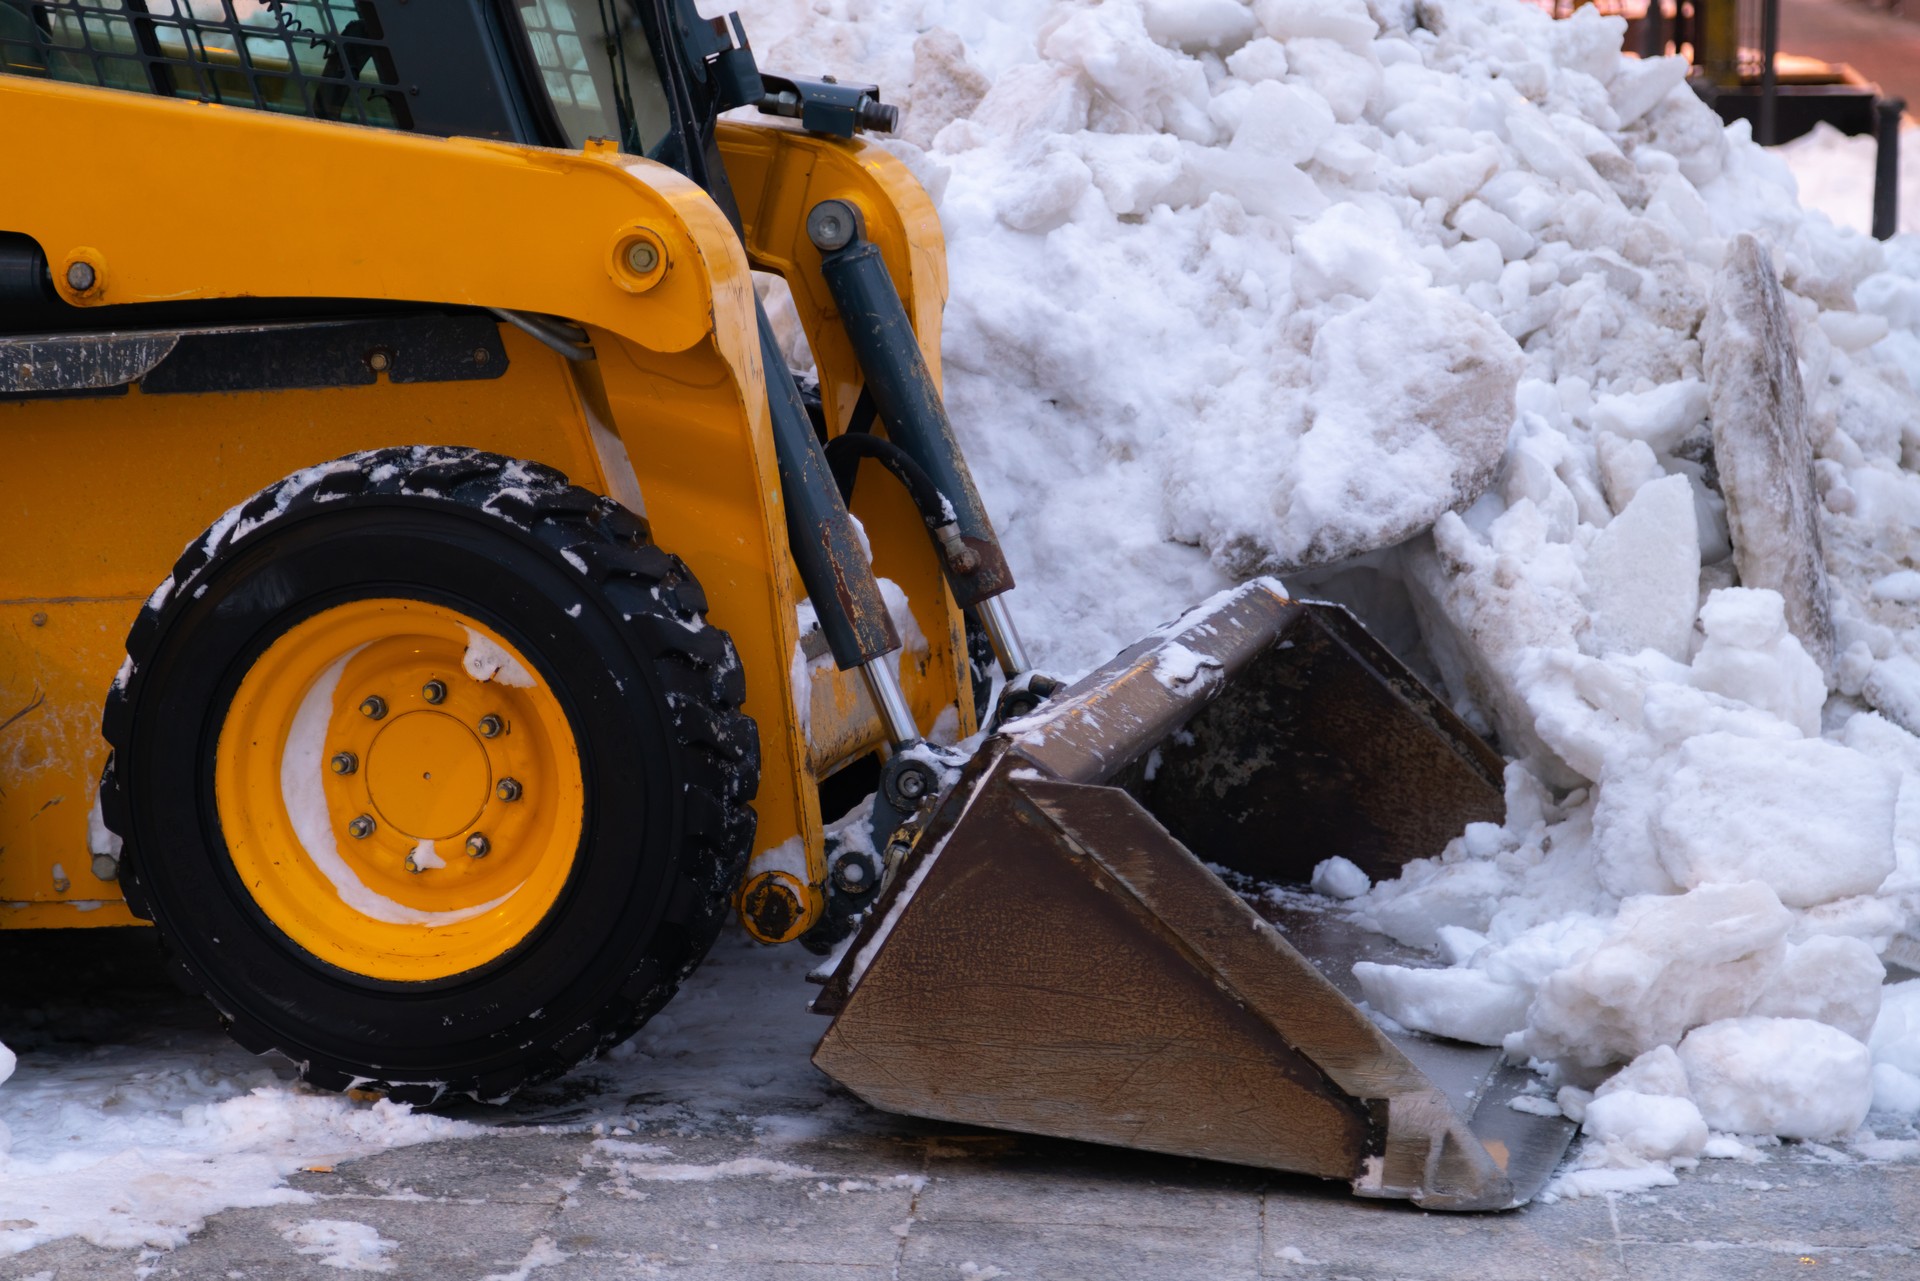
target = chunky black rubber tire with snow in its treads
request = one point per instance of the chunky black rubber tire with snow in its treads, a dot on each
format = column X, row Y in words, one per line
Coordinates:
column 613, row 625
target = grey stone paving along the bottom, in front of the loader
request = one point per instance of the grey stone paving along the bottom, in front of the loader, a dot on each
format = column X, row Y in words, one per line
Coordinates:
column 913, row 1203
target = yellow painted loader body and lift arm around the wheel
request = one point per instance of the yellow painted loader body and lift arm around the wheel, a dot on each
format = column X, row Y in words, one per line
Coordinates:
column 105, row 493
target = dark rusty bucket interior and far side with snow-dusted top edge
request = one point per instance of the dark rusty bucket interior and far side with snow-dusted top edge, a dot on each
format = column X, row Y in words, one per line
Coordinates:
column 1297, row 738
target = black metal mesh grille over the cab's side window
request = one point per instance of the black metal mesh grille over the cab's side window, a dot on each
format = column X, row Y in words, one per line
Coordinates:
column 324, row 59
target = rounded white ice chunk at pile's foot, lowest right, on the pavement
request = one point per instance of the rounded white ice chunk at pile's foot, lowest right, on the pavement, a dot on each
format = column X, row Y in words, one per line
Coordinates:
column 1779, row 1076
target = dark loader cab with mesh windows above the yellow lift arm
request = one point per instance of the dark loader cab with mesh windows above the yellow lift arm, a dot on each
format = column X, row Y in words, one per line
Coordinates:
column 533, row 72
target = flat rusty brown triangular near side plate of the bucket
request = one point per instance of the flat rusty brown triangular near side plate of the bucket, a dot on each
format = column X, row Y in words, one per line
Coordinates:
column 1028, row 988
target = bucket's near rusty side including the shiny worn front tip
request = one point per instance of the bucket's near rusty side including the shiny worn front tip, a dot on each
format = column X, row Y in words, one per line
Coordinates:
column 1061, row 965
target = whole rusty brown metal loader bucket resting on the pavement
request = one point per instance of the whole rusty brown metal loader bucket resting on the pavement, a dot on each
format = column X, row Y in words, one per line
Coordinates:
column 1055, row 957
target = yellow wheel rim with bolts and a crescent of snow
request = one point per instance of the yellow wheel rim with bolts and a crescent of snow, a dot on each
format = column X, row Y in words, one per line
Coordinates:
column 400, row 790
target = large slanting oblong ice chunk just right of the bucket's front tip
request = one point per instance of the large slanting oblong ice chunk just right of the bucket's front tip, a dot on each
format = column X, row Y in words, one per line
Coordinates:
column 1669, row 963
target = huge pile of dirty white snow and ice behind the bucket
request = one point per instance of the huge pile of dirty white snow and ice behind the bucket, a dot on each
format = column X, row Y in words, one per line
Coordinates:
column 1460, row 316
